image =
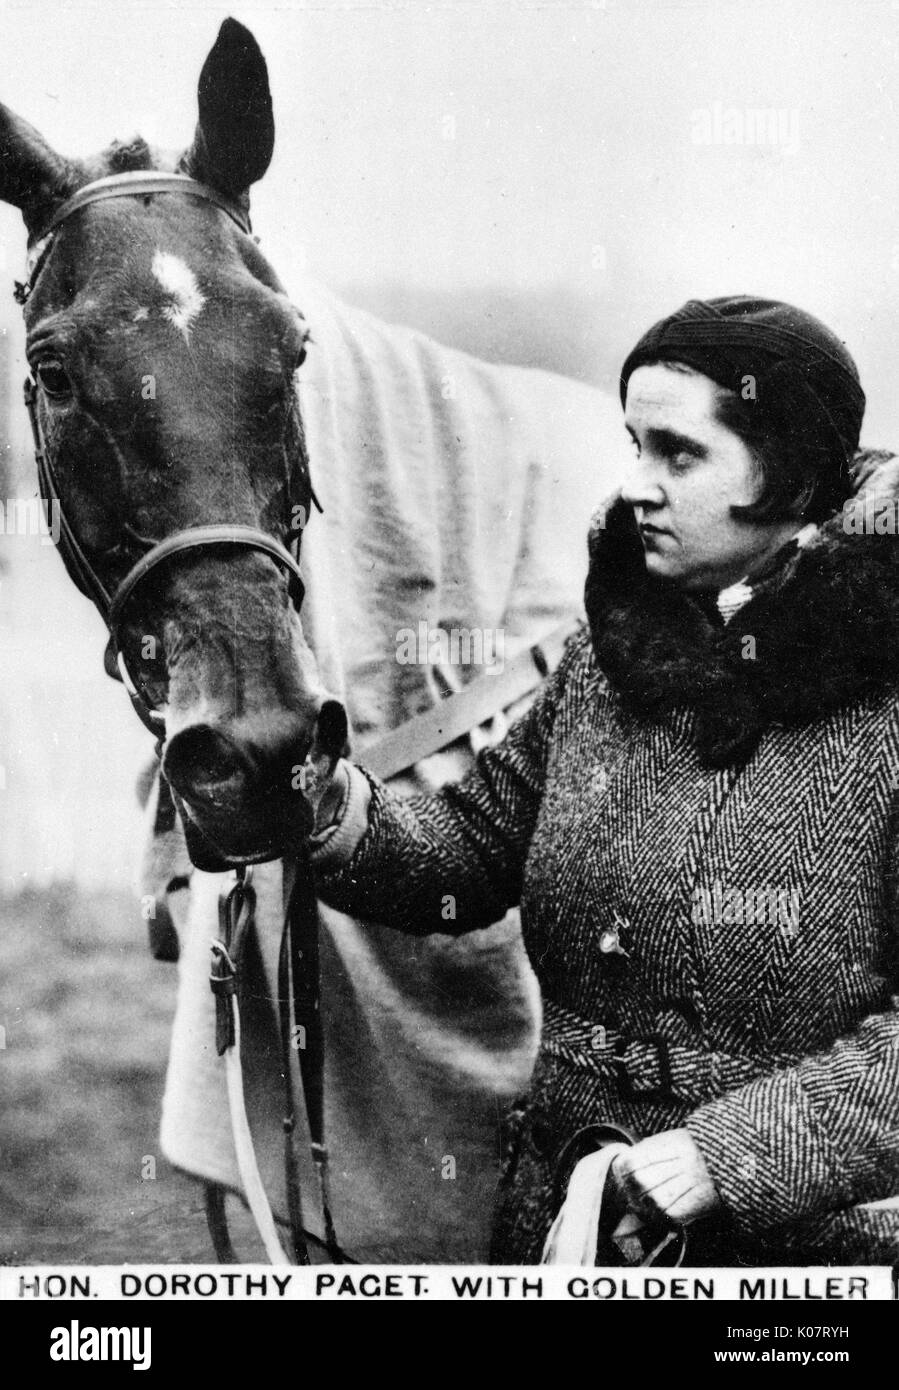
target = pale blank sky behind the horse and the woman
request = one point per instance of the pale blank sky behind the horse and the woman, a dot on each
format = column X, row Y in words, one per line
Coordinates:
column 569, row 211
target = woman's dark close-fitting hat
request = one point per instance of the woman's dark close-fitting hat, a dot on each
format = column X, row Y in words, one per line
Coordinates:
column 794, row 372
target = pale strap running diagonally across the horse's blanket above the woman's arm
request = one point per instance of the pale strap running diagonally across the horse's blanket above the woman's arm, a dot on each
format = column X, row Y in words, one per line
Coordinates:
column 459, row 714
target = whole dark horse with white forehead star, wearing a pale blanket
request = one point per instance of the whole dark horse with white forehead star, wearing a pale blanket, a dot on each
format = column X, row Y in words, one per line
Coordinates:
column 177, row 405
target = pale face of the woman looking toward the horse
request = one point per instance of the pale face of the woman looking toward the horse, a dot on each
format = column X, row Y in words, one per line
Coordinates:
column 688, row 473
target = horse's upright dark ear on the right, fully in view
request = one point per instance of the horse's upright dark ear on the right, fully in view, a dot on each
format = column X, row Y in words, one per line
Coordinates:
column 237, row 131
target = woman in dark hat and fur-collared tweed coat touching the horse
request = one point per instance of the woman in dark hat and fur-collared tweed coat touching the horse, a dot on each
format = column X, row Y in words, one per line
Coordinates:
column 700, row 819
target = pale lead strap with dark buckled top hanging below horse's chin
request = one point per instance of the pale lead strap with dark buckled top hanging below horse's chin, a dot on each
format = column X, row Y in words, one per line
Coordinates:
column 237, row 911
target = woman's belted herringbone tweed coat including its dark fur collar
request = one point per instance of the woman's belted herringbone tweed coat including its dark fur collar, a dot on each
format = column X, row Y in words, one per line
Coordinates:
column 722, row 804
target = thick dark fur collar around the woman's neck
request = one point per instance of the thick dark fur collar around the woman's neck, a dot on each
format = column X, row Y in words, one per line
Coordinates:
column 825, row 621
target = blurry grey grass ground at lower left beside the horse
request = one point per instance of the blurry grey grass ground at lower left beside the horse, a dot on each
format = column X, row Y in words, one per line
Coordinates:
column 87, row 1015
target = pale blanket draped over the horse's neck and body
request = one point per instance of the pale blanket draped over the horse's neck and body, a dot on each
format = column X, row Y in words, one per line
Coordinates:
column 456, row 494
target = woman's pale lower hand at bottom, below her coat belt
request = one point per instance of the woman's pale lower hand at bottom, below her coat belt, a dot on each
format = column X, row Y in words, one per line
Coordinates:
column 666, row 1177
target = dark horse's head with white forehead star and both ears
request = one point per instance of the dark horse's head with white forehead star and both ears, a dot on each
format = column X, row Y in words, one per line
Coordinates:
column 165, row 351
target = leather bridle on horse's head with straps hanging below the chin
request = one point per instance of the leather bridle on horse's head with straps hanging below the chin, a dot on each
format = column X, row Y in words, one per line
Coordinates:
column 298, row 968
